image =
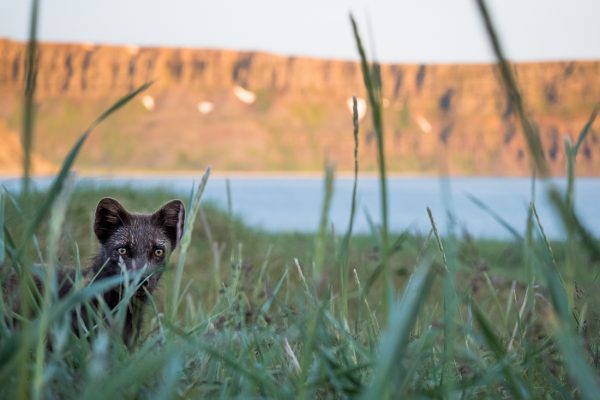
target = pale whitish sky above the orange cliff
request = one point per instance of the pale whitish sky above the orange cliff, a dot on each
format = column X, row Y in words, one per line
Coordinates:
column 397, row 30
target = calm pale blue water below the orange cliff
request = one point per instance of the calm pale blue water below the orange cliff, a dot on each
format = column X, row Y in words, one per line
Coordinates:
column 294, row 203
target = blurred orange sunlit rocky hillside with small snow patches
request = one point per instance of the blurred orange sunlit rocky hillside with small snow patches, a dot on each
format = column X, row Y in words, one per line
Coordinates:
column 241, row 111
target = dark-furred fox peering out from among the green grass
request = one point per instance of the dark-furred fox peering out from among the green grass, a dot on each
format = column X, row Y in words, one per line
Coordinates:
column 137, row 242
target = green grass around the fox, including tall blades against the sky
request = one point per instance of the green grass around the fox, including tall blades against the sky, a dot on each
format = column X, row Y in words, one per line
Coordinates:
column 242, row 313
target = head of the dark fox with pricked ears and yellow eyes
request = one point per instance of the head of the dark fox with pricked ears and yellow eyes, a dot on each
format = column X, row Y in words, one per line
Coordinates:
column 137, row 240
